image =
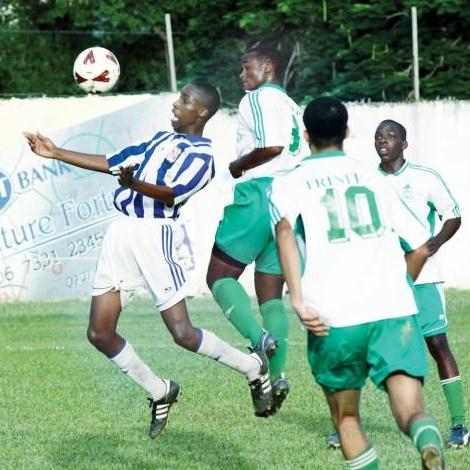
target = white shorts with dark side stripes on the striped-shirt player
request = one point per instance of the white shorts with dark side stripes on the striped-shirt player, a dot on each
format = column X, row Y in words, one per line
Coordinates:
column 140, row 253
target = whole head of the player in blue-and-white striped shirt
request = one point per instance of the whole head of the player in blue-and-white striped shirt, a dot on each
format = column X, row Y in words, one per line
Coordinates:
column 196, row 104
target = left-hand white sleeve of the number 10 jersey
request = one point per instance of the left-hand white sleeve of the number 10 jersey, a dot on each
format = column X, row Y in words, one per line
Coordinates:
column 283, row 201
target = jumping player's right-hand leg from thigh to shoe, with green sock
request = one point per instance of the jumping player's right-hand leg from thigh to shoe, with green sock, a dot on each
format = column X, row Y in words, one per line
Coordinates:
column 269, row 289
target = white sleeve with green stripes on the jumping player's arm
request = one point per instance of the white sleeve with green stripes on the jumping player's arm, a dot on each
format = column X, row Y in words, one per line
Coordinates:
column 272, row 121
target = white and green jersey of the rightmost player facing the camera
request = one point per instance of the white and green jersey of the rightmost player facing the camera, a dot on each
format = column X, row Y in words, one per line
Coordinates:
column 426, row 194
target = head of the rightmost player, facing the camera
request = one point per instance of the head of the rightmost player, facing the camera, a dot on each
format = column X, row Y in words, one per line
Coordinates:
column 390, row 141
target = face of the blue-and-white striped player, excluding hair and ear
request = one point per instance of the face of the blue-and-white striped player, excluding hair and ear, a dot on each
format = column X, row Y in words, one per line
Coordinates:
column 187, row 110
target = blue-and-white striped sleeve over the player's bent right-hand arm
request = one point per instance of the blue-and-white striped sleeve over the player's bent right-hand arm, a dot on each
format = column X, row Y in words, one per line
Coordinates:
column 195, row 173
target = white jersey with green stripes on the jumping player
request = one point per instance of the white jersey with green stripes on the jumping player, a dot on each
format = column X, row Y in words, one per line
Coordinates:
column 267, row 117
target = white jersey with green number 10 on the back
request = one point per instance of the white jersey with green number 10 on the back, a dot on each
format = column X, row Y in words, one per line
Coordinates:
column 355, row 228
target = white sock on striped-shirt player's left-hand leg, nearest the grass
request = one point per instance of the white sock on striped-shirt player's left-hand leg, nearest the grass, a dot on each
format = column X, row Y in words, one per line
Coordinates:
column 132, row 365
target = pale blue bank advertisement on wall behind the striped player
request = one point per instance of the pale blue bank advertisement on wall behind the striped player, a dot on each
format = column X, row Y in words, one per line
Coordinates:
column 53, row 216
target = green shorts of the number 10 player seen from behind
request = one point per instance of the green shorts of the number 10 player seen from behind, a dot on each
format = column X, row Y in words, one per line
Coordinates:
column 347, row 356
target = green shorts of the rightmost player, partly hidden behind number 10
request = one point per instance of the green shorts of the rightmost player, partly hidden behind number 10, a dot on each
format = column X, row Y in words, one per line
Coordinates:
column 432, row 311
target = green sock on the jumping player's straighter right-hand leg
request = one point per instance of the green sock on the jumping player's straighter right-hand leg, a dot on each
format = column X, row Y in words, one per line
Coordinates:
column 276, row 321
